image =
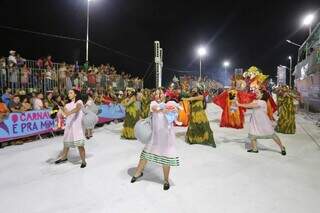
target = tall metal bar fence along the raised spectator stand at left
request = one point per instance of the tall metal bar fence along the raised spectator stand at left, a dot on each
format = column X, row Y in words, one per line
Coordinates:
column 36, row 78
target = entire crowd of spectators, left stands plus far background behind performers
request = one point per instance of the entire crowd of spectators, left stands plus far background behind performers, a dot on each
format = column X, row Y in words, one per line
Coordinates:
column 35, row 85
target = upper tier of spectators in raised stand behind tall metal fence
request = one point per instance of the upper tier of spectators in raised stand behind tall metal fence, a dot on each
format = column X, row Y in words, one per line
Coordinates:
column 44, row 75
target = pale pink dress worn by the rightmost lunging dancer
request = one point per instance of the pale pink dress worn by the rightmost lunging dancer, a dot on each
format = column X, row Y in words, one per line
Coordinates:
column 260, row 124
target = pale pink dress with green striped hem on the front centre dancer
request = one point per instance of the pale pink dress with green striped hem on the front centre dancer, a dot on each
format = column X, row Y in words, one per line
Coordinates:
column 161, row 149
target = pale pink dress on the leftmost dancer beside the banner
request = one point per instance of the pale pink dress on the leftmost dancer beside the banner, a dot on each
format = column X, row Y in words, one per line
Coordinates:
column 73, row 132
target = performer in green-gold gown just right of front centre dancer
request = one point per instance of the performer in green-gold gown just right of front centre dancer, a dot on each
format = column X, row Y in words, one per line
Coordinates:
column 199, row 131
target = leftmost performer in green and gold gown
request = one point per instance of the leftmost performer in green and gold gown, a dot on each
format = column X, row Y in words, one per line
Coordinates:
column 132, row 114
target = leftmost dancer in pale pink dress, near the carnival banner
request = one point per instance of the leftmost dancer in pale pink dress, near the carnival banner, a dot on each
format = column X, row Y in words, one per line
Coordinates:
column 73, row 133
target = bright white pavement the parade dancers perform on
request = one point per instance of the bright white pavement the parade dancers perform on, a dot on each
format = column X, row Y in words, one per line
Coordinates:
column 226, row 179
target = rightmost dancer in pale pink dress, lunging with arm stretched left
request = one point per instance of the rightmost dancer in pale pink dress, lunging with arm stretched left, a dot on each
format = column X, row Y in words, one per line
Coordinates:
column 260, row 124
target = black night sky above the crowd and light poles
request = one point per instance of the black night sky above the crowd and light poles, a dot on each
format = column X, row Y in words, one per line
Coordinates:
column 244, row 32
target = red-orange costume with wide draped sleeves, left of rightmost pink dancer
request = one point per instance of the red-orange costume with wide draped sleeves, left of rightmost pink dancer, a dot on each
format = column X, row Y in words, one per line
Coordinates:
column 232, row 115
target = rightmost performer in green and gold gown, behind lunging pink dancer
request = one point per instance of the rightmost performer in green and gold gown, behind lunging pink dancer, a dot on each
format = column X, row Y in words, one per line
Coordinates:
column 287, row 121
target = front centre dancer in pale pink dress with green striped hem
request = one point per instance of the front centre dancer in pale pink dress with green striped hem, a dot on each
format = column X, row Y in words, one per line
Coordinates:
column 161, row 148
